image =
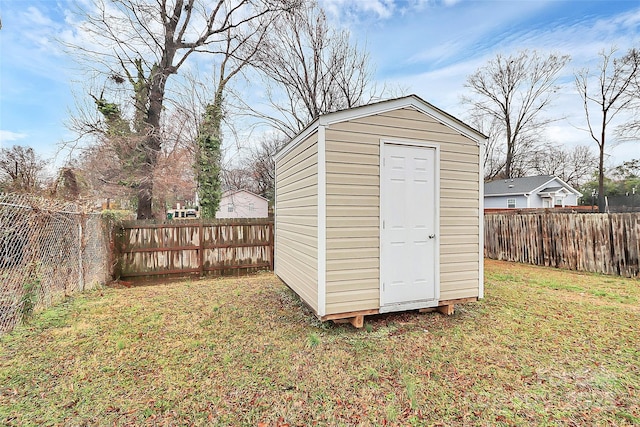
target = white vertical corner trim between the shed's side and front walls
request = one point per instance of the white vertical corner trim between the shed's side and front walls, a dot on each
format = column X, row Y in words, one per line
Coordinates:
column 322, row 222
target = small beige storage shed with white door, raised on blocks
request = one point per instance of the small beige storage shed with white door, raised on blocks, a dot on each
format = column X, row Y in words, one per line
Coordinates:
column 379, row 208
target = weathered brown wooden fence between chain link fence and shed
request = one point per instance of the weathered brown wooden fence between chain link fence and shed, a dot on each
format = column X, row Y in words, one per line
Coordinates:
column 194, row 247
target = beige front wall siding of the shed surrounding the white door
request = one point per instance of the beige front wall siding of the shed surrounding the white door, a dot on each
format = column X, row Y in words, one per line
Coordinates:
column 353, row 186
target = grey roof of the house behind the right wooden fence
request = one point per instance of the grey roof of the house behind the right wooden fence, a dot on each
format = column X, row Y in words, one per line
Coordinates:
column 526, row 185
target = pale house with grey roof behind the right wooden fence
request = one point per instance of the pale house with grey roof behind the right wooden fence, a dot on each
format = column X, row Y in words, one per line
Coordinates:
column 542, row 191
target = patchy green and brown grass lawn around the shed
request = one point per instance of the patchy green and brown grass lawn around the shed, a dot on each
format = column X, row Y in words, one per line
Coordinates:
column 545, row 347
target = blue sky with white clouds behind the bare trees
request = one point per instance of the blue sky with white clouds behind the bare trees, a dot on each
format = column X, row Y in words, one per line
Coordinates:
column 425, row 47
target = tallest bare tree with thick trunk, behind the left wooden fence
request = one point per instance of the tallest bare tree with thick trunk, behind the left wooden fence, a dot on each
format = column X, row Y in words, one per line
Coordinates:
column 145, row 42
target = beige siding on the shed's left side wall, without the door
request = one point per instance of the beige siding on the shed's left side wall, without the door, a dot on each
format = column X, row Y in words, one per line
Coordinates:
column 297, row 220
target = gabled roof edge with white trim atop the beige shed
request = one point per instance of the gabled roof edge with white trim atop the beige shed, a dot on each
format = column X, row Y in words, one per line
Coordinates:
column 410, row 101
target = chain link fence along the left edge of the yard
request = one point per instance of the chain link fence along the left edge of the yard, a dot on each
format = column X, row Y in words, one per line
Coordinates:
column 48, row 250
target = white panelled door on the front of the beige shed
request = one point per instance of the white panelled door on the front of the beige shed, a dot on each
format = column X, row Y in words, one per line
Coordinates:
column 408, row 237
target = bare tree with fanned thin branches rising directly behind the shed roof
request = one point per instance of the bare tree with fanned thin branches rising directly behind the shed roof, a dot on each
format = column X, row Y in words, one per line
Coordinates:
column 311, row 69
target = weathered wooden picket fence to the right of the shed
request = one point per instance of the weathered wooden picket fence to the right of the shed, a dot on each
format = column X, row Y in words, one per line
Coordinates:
column 601, row 243
